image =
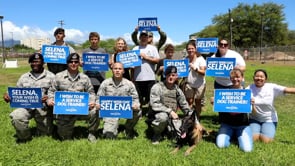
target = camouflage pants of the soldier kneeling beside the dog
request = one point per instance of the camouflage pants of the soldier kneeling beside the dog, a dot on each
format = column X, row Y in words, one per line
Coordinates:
column 162, row 120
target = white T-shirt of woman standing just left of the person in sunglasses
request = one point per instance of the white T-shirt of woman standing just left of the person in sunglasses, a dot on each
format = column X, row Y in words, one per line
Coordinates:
column 194, row 79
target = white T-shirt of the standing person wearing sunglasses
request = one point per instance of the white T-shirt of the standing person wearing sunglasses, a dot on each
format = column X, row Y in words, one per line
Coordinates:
column 224, row 81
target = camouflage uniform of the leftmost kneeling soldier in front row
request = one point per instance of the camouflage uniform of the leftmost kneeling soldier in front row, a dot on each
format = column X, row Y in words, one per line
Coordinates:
column 43, row 116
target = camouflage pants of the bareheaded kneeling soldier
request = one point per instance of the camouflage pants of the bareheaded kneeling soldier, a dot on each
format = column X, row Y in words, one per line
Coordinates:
column 112, row 124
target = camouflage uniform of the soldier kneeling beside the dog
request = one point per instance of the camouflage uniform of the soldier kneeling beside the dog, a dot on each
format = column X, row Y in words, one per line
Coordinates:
column 162, row 102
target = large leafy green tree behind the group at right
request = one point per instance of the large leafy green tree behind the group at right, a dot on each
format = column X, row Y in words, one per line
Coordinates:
column 247, row 24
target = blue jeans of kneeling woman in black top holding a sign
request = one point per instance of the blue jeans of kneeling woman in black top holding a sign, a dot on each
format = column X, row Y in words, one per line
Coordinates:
column 243, row 134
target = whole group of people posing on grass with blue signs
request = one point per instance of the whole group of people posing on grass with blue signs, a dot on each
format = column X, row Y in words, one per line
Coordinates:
column 164, row 97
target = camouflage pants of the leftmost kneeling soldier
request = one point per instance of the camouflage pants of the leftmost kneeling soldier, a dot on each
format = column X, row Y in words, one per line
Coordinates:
column 20, row 120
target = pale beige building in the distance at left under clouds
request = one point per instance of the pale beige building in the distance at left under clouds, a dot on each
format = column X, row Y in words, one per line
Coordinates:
column 35, row 43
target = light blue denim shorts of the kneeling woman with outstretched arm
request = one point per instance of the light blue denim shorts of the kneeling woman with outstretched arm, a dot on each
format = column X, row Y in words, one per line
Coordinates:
column 267, row 129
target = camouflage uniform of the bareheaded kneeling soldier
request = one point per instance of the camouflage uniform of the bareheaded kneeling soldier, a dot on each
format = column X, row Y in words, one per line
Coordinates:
column 125, row 88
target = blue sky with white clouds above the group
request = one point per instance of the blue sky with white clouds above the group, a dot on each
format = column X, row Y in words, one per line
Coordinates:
column 116, row 18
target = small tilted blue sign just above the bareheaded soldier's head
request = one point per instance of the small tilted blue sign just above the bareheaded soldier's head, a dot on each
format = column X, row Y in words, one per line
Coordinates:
column 129, row 58
